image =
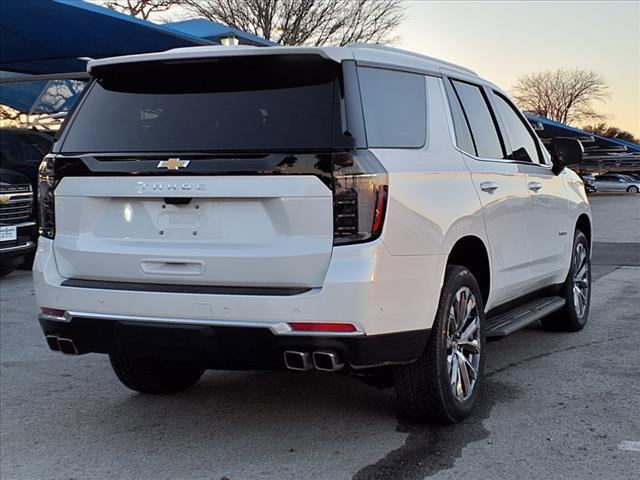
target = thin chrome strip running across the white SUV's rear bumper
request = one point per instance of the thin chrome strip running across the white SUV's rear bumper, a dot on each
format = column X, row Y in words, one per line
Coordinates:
column 277, row 328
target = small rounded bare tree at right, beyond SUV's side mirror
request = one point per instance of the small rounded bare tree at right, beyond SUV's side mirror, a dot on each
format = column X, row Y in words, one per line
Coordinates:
column 563, row 95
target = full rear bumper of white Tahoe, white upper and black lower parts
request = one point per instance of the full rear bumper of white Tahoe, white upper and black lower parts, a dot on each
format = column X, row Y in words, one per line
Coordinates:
column 391, row 300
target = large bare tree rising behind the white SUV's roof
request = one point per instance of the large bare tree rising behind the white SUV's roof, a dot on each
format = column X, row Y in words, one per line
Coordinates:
column 306, row 22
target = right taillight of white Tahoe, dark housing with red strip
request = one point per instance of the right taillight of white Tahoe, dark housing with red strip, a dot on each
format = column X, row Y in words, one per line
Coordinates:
column 360, row 193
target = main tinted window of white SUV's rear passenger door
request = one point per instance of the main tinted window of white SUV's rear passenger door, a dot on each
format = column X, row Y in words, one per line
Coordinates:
column 480, row 120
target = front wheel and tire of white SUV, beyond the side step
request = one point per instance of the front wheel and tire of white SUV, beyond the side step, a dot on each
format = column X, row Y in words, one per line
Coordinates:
column 576, row 290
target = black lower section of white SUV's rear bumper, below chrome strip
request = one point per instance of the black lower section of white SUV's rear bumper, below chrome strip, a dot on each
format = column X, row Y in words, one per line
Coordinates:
column 228, row 347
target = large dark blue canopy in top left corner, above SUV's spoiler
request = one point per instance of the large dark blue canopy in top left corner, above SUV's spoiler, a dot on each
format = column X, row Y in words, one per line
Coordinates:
column 53, row 36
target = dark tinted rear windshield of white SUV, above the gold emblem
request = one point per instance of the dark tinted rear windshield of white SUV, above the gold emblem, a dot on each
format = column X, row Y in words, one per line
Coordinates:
column 241, row 104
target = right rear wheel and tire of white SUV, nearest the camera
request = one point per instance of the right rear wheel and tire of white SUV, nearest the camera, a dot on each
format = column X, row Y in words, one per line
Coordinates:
column 442, row 384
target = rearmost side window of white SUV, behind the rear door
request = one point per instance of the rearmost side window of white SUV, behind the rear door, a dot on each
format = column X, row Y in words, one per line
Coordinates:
column 394, row 105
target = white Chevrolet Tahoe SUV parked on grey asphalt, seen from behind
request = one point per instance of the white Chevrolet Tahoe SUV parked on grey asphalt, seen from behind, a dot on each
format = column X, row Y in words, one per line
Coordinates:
column 357, row 209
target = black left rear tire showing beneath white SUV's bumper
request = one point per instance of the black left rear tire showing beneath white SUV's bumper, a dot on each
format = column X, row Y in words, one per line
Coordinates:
column 154, row 376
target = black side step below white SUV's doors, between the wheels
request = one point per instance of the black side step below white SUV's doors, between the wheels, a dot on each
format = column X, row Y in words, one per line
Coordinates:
column 506, row 323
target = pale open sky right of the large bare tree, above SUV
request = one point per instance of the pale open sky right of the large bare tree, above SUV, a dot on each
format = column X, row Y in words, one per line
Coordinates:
column 502, row 40
